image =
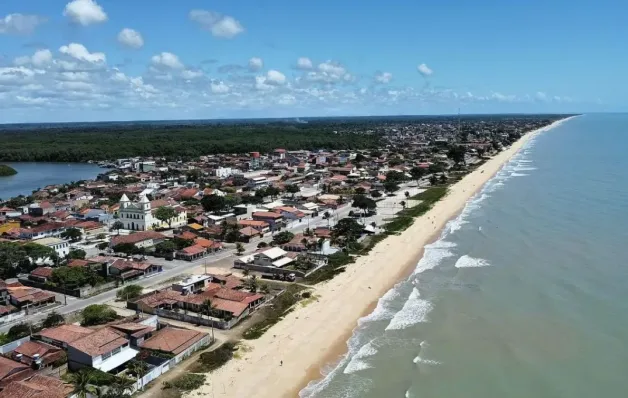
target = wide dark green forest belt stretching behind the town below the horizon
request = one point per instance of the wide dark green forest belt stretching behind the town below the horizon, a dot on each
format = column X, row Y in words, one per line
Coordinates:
column 77, row 144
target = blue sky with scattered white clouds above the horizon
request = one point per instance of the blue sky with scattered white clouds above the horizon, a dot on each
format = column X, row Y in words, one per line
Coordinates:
column 107, row 60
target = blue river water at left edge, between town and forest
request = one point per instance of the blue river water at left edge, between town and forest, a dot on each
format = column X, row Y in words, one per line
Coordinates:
column 34, row 175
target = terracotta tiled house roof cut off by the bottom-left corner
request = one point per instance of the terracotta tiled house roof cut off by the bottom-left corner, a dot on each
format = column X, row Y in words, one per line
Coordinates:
column 37, row 386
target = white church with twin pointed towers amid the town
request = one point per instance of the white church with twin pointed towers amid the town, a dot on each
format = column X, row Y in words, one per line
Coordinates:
column 138, row 216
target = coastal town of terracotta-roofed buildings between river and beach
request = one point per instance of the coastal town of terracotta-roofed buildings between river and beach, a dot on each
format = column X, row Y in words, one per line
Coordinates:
column 108, row 286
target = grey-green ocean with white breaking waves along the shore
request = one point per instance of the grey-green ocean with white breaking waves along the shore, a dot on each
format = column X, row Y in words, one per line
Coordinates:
column 525, row 294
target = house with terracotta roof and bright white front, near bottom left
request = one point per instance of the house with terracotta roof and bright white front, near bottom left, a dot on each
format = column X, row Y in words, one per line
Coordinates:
column 106, row 350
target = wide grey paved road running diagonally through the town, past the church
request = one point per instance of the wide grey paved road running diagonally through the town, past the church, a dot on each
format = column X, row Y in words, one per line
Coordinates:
column 386, row 208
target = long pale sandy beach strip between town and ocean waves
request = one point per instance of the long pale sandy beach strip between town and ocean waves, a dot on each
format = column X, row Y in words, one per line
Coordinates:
column 315, row 335
